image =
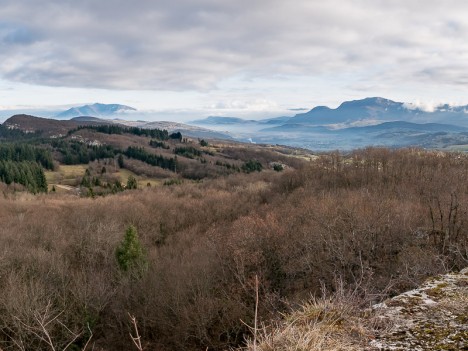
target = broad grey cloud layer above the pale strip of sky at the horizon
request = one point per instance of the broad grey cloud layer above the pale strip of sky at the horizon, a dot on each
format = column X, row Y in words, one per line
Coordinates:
column 195, row 44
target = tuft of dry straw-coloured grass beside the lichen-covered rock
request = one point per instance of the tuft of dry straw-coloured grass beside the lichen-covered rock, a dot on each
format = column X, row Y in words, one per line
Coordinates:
column 321, row 324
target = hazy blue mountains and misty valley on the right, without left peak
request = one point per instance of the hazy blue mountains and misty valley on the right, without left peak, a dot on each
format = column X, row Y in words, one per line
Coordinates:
column 354, row 124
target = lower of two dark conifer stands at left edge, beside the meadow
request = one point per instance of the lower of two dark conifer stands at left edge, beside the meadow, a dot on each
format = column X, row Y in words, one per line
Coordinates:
column 27, row 173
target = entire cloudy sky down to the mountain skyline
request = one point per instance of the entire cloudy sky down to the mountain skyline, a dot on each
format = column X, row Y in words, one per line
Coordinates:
column 184, row 59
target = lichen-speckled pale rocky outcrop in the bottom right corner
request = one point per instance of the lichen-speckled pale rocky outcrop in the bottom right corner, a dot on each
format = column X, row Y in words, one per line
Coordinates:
column 432, row 317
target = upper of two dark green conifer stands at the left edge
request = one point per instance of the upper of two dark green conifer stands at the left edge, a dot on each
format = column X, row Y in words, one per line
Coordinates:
column 25, row 152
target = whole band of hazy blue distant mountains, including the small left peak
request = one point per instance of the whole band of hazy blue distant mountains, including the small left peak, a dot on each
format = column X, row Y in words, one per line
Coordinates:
column 353, row 124
